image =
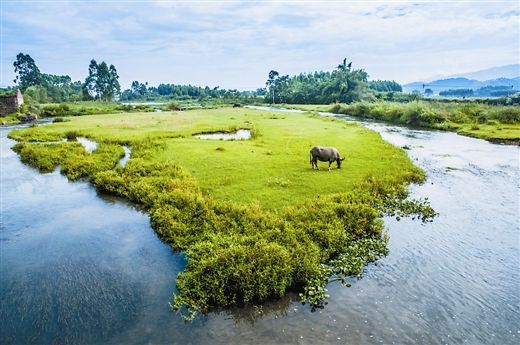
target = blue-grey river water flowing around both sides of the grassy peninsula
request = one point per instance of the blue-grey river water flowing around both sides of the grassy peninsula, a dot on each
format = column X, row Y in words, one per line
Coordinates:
column 77, row 267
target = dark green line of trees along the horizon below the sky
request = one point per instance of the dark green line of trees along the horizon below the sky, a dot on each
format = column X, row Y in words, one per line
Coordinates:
column 343, row 84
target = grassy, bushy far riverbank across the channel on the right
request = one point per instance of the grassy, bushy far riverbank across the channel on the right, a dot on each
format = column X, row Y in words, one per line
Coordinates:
column 495, row 123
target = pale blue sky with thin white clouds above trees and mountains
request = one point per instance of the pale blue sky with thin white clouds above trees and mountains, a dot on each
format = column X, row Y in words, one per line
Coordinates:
column 234, row 44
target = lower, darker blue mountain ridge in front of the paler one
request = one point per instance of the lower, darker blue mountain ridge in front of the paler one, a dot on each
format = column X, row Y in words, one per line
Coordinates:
column 460, row 83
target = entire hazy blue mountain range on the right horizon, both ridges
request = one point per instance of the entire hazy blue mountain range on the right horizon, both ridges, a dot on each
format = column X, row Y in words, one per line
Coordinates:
column 497, row 76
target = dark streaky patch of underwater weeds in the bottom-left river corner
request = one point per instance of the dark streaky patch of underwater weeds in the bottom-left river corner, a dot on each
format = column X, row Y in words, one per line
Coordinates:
column 71, row 301
